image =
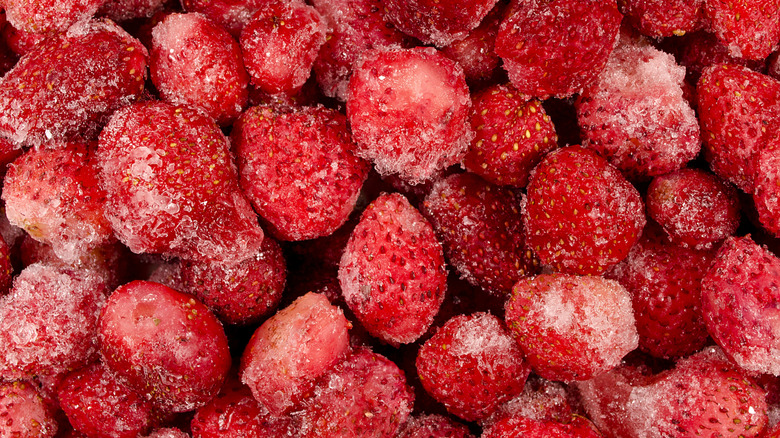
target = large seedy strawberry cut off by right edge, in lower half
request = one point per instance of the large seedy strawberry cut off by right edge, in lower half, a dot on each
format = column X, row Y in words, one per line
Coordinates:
column 739, row 293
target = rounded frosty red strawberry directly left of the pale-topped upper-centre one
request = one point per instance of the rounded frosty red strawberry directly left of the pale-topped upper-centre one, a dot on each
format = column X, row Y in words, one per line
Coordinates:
column 298, row 168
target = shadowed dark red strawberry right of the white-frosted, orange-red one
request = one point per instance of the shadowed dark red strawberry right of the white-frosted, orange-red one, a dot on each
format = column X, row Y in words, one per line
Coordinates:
column 664, row 281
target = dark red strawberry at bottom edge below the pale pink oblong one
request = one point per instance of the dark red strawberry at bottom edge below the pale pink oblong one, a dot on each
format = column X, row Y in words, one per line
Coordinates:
column 234, row 413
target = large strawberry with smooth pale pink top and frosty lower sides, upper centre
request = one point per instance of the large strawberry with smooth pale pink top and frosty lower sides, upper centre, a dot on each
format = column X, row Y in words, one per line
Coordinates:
column 408, row 109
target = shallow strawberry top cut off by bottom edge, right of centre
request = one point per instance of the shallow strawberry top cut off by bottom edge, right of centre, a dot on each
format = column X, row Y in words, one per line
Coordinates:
column 518, row 426
